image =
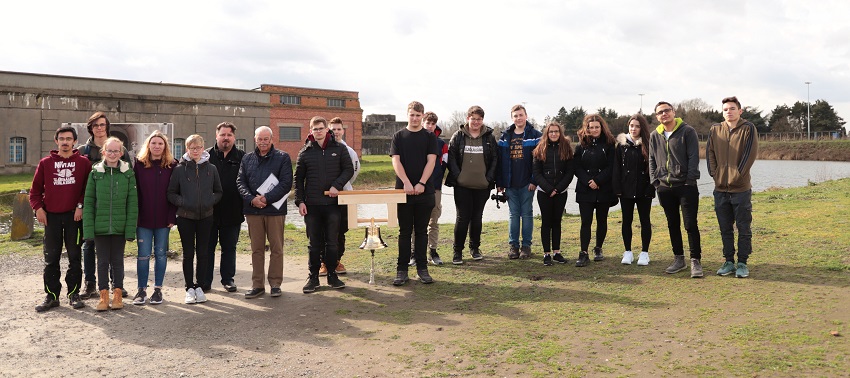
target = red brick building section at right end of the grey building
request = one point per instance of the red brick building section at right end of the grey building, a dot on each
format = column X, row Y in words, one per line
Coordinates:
column 292, row 108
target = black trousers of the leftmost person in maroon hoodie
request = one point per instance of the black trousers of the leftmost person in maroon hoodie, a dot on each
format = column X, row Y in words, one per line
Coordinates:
column 61, row 228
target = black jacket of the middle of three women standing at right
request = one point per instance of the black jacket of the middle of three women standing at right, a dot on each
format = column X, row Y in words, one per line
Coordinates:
column 594, row 162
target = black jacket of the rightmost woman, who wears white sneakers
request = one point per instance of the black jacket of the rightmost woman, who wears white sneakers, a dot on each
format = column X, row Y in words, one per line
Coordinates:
column 631, row 170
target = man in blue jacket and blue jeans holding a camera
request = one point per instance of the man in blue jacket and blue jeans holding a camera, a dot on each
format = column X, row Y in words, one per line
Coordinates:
column 514, row 177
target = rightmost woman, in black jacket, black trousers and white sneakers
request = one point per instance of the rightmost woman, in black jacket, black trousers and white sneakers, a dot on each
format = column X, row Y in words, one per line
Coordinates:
column 631, row 184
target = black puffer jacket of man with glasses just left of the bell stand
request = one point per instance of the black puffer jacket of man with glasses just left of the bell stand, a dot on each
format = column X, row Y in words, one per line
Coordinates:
column 317, row 170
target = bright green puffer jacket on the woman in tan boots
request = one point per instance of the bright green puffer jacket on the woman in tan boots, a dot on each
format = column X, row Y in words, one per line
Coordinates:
column 111, row 205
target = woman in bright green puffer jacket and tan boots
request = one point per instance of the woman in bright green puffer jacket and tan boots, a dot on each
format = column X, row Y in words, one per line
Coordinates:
column 110, row 211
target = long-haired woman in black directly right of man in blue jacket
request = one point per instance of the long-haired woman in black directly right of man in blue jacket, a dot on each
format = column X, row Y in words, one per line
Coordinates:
column 553, row 169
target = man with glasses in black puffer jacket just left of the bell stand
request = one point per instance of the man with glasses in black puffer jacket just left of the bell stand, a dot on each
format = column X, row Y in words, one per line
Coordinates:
column 322, row 165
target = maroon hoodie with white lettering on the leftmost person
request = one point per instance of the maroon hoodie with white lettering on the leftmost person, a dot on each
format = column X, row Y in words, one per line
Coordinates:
column 59, row 184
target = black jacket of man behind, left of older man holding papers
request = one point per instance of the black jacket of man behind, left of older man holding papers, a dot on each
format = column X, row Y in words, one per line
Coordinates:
column 228, row 211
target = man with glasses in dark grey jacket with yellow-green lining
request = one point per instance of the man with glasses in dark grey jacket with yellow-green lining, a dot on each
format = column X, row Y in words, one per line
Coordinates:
column 674, row 171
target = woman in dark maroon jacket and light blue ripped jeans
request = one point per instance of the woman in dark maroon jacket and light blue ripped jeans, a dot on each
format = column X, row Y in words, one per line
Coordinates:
column 153, row 169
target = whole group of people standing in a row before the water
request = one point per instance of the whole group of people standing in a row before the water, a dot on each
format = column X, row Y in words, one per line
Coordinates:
column 96, row 197
